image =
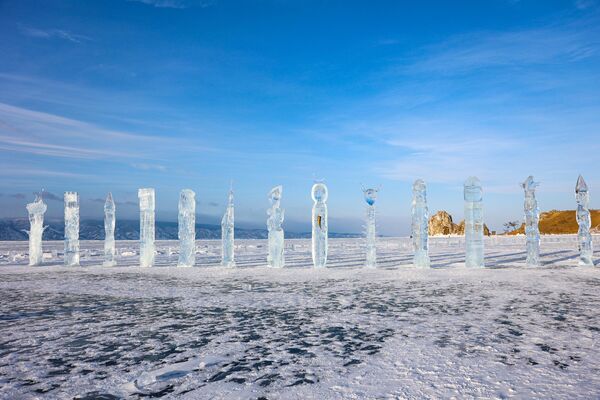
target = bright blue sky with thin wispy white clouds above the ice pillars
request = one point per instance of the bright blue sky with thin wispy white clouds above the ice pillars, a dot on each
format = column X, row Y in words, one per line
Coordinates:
column 99, row 96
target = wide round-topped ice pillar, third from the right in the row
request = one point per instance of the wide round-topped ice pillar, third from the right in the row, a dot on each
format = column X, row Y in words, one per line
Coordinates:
column 473, row 223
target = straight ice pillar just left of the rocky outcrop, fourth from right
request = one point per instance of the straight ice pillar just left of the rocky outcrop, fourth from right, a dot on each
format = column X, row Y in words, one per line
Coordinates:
column 420, row 227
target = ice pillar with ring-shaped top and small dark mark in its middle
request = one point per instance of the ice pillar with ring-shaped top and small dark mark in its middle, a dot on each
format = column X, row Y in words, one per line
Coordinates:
column 319, row 229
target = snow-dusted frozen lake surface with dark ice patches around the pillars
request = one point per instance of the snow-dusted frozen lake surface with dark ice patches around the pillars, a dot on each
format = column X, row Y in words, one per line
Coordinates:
column 506, row 331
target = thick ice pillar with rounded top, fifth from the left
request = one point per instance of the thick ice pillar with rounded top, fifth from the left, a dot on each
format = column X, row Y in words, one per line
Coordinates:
column 187, row 228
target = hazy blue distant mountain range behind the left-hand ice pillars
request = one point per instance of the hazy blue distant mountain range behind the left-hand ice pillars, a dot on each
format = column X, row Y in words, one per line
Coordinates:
column 13, row 229
